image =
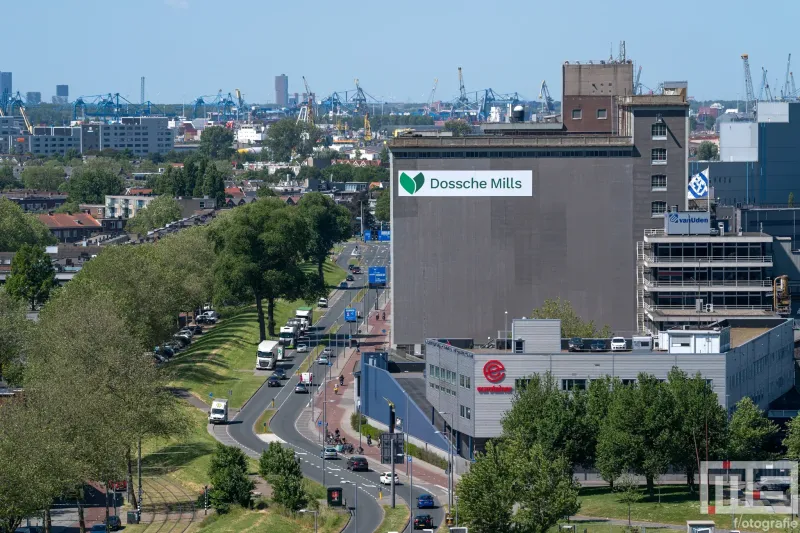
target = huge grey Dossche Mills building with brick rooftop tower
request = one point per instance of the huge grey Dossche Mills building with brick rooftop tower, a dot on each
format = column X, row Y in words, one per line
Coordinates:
column 491, row 225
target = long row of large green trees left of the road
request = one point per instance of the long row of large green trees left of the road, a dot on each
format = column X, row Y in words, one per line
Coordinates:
column 91, row 390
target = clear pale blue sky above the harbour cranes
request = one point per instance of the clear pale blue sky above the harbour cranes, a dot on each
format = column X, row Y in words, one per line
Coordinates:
column 188, row 48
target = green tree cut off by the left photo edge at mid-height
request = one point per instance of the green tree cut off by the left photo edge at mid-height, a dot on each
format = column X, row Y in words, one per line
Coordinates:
column 14, row 334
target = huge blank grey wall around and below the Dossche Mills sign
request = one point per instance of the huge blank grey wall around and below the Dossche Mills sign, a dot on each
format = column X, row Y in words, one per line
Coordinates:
column 460, row 263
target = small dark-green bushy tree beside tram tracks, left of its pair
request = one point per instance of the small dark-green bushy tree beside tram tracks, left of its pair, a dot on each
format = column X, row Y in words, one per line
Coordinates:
column 228, row 474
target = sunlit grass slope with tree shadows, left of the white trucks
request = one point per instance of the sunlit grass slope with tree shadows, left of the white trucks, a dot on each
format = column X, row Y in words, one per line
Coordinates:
column 222, row 361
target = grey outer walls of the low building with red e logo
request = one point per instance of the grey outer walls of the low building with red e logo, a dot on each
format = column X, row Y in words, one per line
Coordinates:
column 762, row 368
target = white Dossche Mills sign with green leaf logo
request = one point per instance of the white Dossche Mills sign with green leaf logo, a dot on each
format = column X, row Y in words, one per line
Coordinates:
column 457, row 183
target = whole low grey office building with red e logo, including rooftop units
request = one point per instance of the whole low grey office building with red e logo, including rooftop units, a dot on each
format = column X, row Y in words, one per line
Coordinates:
column 473, row 389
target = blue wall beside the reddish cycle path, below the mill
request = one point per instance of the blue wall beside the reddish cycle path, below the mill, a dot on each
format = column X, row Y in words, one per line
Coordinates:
column 377, row 386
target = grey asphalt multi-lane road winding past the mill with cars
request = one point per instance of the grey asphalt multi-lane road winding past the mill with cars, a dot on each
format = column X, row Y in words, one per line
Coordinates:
column 291, row 406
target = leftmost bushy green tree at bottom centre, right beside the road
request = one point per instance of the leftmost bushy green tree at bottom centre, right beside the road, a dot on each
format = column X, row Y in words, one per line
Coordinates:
column 485, row 493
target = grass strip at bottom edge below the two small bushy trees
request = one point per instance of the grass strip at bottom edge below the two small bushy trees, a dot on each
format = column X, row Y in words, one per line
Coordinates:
column 272, row 520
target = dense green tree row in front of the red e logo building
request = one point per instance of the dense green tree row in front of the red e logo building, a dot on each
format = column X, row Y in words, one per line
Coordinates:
column 524, row 479
